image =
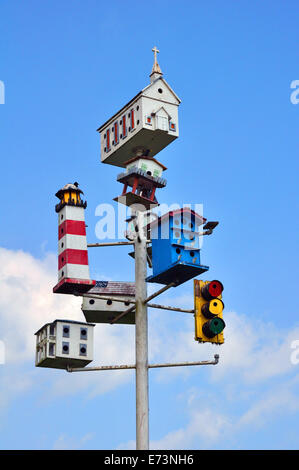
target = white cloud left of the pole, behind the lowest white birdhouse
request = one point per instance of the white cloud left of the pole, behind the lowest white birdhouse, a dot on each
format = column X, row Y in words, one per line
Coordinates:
column 27, row 303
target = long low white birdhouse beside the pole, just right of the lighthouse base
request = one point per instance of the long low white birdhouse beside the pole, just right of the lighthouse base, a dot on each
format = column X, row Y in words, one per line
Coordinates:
column 105, row 310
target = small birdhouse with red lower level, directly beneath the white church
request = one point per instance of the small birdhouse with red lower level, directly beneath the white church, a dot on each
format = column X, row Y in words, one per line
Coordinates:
column 143, row 176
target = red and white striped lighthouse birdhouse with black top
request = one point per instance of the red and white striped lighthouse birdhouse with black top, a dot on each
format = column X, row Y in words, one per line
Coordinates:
column 73, row 269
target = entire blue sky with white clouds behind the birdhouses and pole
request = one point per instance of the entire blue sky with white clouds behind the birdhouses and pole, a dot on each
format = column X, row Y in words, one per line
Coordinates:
column 67, row 67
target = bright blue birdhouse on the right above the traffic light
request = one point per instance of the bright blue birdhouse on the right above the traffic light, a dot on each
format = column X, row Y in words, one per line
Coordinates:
column 176, row 247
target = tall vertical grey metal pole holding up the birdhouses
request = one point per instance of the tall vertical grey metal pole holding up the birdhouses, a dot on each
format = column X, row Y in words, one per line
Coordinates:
column 141, row 343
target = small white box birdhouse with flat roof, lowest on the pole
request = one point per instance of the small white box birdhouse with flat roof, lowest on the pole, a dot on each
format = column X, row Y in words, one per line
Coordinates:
column 64, row 343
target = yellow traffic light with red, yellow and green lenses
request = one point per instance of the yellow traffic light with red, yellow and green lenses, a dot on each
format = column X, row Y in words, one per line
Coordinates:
column 208, row 307
